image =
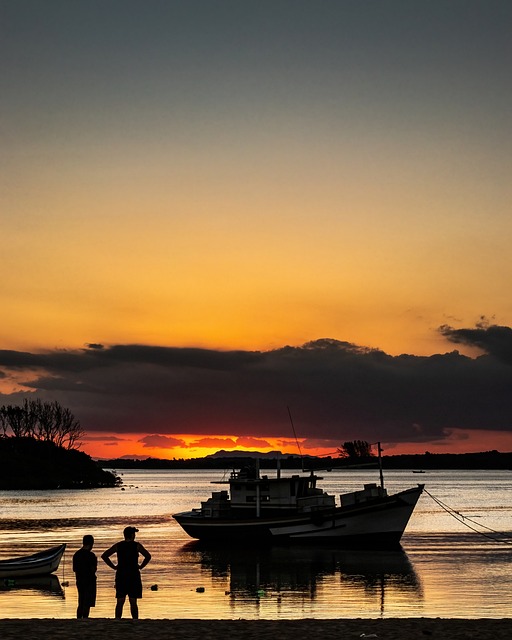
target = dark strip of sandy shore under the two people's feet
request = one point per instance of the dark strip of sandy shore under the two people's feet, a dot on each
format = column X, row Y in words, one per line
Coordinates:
column 126, row 629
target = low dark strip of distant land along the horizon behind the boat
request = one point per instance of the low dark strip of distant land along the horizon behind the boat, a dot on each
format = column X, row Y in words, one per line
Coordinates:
column 483, row 460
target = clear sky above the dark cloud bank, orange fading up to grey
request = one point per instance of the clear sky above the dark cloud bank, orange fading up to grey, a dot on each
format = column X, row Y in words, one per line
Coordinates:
column 320, row 176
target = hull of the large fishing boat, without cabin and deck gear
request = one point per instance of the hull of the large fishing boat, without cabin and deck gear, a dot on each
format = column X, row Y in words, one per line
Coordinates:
column 379, row 522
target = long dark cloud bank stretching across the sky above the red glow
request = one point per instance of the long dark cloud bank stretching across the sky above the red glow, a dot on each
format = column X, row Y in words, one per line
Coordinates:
column 335, row 390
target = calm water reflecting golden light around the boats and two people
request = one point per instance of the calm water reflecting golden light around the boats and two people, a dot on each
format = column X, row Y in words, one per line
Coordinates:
column 445, row 569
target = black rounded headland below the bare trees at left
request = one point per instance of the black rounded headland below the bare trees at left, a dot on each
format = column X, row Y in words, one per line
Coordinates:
column 27, row 463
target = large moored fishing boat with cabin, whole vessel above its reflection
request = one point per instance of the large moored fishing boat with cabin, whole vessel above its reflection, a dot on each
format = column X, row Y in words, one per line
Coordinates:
column 284, row 509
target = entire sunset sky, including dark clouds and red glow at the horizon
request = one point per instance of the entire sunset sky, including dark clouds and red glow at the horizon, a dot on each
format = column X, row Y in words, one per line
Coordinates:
column 213, row 210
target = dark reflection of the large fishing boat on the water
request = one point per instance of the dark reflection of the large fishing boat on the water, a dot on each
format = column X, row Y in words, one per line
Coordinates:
column 300, row 571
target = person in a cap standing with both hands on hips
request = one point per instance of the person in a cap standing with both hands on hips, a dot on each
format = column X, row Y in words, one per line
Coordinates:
column 128, row 580
